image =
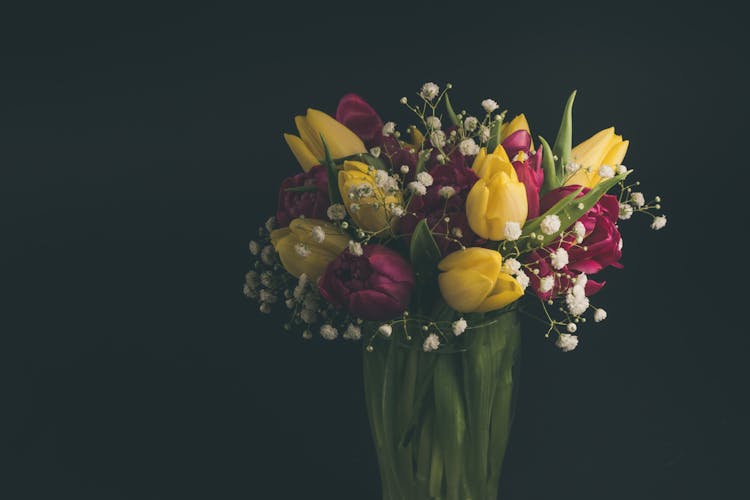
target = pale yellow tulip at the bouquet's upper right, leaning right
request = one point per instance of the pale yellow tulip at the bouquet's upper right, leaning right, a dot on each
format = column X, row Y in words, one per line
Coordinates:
column 603, row 148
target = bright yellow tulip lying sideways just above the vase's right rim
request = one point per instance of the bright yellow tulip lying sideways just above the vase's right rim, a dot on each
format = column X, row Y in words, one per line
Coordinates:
column 473, row 281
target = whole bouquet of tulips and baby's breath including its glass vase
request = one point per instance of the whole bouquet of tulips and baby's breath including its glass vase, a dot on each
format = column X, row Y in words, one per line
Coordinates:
column 421, row 245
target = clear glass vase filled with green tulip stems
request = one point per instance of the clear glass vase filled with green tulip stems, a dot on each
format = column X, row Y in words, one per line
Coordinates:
column 441, row 420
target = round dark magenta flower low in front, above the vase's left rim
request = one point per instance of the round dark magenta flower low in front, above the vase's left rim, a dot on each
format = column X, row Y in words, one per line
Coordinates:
column 376, row 285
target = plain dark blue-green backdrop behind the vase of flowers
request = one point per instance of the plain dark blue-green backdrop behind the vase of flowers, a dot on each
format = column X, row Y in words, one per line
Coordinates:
column 140, row 147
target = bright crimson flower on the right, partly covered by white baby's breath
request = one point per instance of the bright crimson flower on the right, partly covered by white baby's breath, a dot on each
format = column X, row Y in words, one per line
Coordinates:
column 600, row 248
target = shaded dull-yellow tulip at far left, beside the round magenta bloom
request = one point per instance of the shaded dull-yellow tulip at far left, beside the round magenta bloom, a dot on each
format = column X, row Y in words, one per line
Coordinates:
column 301, row 249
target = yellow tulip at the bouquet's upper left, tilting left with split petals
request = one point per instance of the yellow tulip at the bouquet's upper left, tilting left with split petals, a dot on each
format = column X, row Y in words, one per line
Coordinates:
column 308, row 146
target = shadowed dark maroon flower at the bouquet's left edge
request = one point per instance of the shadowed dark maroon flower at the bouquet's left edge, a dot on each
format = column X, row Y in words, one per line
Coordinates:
column 312, row 204
